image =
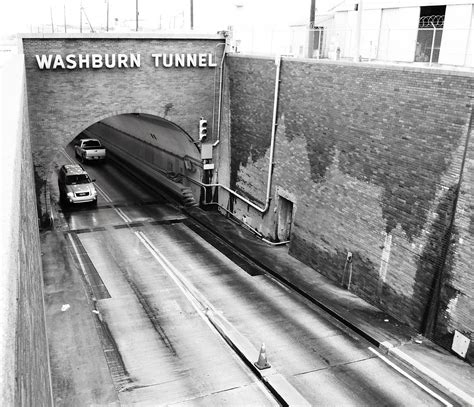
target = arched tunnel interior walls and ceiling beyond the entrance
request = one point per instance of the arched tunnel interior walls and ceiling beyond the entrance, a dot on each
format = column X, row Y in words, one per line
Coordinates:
column 156, row 151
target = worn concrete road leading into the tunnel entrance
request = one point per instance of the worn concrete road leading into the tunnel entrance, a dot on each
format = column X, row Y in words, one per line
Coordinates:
column 135, row 298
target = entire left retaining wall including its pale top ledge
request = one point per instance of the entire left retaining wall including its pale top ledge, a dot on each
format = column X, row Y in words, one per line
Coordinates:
column 24, row 362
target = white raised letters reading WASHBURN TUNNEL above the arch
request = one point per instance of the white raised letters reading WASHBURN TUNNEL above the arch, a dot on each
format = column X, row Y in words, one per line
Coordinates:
column 97, row 61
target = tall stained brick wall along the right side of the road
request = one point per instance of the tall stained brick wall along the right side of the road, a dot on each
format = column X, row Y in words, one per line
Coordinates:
column 372, row 156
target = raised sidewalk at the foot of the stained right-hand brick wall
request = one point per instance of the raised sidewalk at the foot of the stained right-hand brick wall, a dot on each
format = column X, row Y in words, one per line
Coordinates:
column 434, row 364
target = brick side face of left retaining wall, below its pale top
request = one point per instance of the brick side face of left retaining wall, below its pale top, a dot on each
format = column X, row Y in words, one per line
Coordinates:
column 33, row 385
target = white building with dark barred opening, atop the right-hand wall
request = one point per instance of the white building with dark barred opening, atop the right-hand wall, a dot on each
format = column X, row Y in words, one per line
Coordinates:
column 420, row 31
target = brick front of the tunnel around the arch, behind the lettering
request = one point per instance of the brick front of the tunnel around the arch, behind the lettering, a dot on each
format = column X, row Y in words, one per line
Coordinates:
column 64, row 102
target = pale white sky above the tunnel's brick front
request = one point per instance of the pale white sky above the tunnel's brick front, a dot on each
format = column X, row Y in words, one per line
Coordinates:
column 25, row 16
